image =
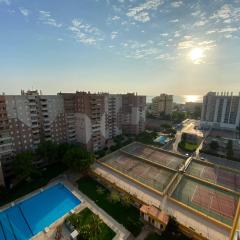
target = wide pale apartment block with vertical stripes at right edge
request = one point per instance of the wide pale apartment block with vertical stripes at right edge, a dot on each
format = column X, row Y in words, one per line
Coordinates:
column 221, row 110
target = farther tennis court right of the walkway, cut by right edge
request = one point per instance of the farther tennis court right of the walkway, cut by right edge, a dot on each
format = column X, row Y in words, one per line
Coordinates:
column 212, row 173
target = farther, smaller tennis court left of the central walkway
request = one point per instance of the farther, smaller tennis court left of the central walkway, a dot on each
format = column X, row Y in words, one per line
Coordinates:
column 155, row 155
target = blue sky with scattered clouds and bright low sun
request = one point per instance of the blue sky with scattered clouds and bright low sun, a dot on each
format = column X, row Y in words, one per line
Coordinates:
column 182, row 47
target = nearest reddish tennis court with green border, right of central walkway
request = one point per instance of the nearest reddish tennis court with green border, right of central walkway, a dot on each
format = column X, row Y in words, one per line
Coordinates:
column 209, row 200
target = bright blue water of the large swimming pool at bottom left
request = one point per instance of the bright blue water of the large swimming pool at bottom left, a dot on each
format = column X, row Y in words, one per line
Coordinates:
column 31, row 216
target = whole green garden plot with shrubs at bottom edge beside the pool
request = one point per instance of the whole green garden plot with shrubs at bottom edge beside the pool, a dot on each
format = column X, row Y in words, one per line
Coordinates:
column 90, row 226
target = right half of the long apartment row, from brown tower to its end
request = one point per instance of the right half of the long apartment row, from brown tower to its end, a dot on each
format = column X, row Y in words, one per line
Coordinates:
column 93, row 118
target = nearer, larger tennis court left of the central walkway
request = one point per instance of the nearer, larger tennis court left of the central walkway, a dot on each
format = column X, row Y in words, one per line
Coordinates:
column 155, row 177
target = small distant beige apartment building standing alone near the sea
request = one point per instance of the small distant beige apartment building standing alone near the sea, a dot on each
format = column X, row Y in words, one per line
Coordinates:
column 162, row 105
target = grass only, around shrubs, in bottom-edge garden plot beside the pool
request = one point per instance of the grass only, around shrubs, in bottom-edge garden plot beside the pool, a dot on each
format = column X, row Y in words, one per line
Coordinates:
column 84, row 219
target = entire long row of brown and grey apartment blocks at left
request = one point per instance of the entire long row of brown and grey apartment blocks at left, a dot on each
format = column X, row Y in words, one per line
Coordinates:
column 82, row 117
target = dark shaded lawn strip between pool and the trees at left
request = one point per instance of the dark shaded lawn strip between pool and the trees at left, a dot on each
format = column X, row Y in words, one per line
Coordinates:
column 24, row 188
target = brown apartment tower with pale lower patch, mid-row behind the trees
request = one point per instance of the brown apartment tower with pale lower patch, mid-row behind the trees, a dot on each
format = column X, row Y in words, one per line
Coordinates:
column 86, row 118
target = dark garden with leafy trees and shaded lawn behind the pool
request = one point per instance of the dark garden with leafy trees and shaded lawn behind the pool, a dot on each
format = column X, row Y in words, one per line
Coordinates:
column 29, row 176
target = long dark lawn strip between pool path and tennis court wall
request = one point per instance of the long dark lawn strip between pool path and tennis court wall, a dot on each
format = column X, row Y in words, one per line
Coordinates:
column 127, row 216
